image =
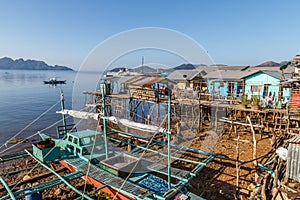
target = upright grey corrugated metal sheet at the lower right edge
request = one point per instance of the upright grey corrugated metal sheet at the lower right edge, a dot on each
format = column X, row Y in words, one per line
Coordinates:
column 293, row 162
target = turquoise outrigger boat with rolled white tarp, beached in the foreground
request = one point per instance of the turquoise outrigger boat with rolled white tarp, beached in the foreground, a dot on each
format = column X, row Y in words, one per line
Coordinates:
column 123, row 175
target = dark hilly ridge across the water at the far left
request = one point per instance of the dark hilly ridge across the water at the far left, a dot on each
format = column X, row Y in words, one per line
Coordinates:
column 21, row 64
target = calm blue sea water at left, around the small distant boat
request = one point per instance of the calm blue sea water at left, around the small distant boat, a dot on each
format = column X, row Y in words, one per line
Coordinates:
column 24, row 97
